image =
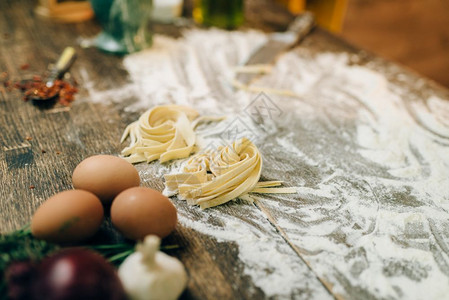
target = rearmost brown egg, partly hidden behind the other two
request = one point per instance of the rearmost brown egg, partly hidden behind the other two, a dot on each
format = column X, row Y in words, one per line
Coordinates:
column 105, row 176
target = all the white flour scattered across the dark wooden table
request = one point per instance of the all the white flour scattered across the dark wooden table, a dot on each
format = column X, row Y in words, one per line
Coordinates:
column 371, row 160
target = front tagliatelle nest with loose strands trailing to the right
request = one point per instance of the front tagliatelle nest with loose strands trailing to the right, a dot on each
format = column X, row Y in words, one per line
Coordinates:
column 217, row 176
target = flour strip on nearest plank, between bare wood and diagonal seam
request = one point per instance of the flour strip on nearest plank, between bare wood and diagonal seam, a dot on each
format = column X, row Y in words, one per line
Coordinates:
column 268, row 260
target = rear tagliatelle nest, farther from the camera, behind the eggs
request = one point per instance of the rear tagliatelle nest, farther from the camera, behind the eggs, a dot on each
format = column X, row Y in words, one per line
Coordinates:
column 164, row 132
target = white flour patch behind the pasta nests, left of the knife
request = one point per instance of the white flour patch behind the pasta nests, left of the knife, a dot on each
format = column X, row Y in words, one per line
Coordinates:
column 181, row 71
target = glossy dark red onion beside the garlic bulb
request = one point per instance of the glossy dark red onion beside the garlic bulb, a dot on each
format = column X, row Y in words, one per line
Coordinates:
column 77, row 273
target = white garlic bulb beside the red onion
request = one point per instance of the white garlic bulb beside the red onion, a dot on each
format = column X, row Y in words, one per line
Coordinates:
column 150, row 274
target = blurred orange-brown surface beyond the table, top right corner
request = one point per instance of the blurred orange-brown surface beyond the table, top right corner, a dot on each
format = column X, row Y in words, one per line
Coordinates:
column 414, row 33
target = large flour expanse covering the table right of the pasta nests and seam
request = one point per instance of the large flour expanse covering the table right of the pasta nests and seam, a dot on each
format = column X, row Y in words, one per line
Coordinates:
column 386, row 178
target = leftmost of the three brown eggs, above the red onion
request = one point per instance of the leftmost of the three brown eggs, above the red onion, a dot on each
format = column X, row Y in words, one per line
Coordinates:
column 69, row 216
